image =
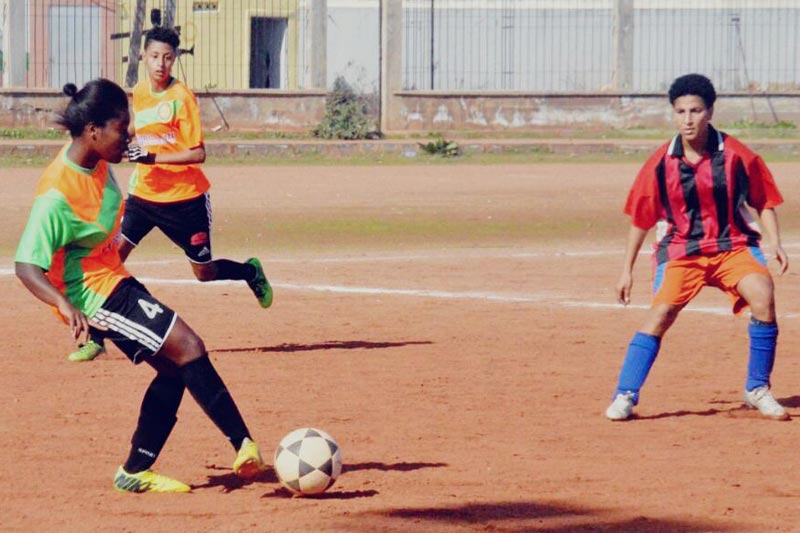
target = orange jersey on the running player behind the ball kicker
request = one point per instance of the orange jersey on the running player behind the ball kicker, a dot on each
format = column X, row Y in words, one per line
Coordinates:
column 167, row 122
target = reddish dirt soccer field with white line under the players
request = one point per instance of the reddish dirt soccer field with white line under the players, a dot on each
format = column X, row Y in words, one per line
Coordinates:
column 453, row 327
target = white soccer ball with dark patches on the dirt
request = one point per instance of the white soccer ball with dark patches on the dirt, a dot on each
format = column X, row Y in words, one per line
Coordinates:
column 307, row 461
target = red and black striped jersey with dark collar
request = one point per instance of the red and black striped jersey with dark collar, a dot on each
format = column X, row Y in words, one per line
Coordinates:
column 702, row 208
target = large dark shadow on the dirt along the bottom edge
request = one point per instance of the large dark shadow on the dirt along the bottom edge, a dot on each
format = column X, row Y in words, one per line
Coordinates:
column 532, row 516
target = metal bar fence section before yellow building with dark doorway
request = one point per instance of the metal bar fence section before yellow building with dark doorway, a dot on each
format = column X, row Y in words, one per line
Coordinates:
column 225, row 44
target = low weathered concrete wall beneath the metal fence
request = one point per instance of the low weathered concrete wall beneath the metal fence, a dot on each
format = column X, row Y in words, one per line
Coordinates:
column 268, row 110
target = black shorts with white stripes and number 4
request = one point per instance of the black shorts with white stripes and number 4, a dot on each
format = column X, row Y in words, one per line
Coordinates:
column 134, row 320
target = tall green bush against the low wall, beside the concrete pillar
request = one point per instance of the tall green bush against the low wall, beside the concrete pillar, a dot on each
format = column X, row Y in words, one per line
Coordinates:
column 345, row 114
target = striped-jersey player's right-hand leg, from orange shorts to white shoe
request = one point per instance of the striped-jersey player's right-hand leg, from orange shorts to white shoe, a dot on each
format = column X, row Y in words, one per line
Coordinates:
column 745, row 277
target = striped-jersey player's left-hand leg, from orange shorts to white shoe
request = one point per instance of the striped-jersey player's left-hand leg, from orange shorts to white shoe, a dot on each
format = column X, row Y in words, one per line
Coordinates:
column 675, row 283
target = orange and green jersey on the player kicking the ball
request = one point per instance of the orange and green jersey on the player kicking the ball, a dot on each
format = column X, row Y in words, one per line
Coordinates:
column 72, row 232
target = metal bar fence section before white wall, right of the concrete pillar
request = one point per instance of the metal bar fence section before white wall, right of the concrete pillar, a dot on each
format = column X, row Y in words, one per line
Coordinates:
column 599, row 45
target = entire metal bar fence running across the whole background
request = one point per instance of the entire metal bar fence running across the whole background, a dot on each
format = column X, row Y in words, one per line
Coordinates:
column 573, row 46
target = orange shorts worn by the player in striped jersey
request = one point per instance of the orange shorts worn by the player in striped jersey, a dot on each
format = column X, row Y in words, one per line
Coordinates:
column 678, row 281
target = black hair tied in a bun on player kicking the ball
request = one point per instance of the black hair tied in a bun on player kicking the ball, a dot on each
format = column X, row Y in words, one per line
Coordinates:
column 99, row 101
